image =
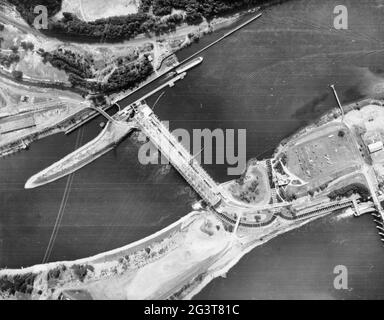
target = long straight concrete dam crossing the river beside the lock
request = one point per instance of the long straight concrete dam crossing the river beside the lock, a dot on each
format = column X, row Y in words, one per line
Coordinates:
column 176, row 154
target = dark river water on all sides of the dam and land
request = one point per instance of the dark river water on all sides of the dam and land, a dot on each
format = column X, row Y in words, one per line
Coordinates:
column 269, row 78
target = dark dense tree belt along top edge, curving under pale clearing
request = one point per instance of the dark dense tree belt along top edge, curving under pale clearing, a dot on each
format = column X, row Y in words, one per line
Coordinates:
column 149, row 19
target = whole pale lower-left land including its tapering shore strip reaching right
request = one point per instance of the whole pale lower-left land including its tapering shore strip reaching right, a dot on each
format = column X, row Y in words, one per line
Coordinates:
column 194, row 264
